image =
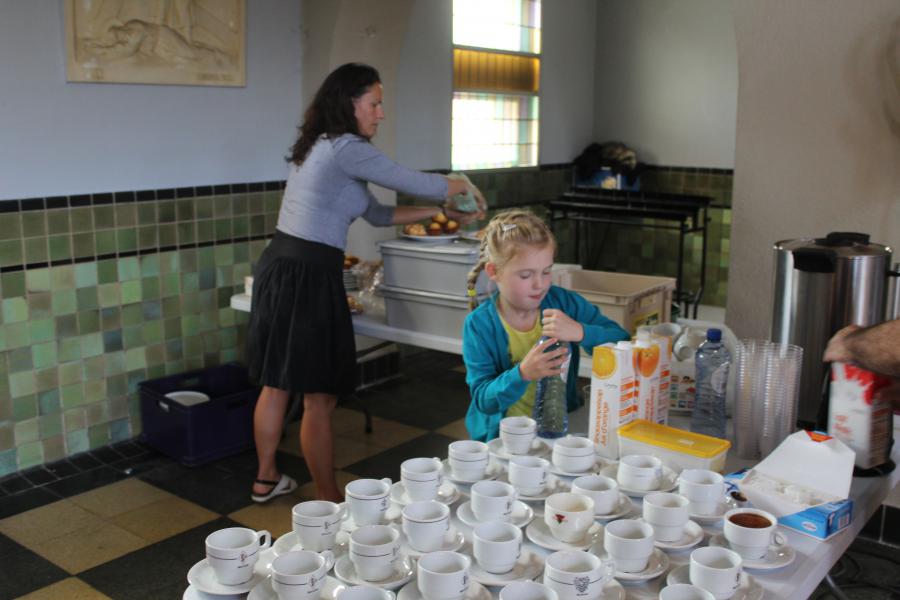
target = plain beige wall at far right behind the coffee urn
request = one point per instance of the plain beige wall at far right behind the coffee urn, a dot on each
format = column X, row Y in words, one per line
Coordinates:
column 818, row 135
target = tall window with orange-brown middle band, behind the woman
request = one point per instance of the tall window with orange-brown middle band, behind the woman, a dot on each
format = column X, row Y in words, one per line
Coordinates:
column 496, row 81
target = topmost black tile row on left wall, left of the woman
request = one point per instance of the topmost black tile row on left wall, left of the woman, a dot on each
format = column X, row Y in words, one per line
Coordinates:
column 101, row 198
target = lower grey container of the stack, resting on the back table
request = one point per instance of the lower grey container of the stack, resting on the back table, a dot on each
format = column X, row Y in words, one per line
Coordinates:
column 425, row 312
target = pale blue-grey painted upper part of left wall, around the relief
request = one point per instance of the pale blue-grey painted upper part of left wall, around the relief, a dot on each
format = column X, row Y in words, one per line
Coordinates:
column 70, row 138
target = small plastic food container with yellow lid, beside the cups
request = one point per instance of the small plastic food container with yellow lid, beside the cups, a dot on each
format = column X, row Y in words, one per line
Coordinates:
column 676, row 448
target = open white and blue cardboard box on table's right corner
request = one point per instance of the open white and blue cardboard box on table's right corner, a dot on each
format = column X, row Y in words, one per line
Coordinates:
column 805, row 482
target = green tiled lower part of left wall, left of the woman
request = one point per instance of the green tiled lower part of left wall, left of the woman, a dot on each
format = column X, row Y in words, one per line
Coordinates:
column 77, row 338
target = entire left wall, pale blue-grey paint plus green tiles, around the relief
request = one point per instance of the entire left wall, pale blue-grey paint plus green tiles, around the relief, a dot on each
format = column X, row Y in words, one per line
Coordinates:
column 98, row 290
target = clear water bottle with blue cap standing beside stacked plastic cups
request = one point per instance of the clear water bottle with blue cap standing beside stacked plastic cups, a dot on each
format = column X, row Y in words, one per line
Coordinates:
column 712, row 361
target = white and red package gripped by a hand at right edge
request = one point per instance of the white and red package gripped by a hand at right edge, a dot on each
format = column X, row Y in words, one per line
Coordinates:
column 858, row 416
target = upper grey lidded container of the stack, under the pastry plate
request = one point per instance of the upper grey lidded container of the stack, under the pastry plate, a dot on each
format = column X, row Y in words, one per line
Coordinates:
column 428, row 267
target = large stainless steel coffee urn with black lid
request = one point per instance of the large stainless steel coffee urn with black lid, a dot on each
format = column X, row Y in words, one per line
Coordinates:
column 822, row 285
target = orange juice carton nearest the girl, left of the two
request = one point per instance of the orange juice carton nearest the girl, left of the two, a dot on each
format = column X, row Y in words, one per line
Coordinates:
column 612, row 401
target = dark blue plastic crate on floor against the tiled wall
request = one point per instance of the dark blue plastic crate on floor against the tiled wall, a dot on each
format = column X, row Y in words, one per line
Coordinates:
column 198, row 434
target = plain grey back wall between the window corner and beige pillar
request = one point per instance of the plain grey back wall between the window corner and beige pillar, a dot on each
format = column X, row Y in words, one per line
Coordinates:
column 666, row 80
